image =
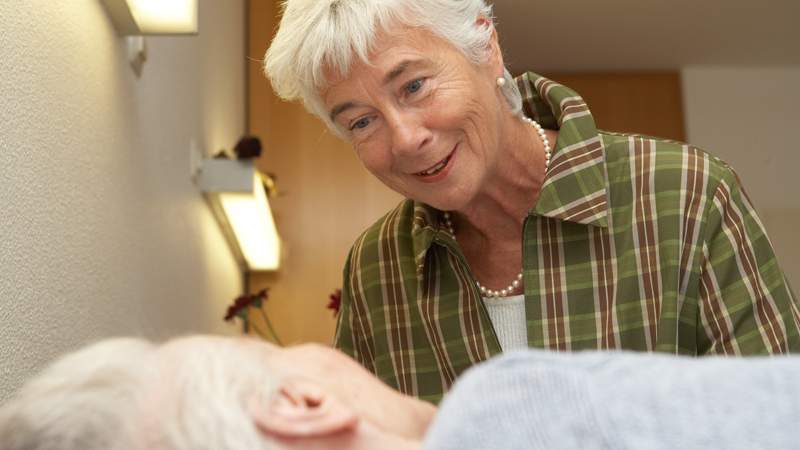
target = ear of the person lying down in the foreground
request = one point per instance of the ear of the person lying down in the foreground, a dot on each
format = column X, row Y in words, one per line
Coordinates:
column 300, row 408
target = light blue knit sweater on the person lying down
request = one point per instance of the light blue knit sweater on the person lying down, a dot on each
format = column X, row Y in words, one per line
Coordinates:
column 535, row 399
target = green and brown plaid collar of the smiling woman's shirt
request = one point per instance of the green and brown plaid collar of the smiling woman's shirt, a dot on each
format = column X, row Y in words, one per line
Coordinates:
column 575, row 186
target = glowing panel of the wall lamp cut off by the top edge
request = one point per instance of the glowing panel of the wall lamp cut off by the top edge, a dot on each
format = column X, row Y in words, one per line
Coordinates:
column 165, row 16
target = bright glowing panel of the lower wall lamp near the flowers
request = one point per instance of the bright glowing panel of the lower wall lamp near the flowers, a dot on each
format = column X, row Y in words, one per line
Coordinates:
column 251, row 219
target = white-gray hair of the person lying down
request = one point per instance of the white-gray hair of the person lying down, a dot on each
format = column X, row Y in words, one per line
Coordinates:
column 111, row 396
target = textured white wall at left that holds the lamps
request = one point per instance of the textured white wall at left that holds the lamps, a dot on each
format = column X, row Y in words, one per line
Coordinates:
column 101, row 230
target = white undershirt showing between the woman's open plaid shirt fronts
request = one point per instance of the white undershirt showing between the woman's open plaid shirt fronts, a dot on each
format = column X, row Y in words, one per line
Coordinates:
column 508, row 318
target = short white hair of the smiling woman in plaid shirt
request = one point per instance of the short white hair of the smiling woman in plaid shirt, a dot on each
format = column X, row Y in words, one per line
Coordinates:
column 319, row 35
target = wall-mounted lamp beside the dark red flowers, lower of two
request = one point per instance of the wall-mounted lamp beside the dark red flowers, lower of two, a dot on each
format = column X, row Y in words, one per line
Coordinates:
column 236, row 193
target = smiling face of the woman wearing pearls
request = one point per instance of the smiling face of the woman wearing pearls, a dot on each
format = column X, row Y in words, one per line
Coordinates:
column 421, row 117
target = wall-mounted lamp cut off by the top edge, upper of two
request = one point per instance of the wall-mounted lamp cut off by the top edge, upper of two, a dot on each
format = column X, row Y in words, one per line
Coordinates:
column 140, row 17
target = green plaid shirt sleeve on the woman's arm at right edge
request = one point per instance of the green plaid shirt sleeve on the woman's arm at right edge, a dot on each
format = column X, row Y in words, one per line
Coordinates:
column 746, row 304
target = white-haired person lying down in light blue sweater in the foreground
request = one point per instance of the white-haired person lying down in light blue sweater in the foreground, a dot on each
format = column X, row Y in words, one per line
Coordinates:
column 215, row 393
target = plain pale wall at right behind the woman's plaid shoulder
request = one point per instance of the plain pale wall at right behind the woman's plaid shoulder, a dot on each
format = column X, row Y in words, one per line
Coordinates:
column 750, row 118
